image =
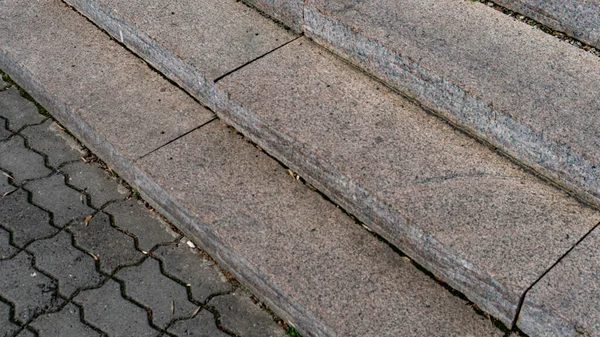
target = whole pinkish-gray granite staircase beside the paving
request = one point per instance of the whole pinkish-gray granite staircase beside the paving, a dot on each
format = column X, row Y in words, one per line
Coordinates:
column 472, row 147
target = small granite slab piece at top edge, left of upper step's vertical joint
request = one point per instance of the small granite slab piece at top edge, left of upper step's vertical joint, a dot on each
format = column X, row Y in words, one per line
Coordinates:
column 288, row 12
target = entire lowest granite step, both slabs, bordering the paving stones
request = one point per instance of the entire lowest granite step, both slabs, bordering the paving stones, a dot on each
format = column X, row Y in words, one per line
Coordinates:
column 309, row 261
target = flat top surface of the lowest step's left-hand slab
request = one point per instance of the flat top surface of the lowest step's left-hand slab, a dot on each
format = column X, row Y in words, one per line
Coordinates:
column 81, row 68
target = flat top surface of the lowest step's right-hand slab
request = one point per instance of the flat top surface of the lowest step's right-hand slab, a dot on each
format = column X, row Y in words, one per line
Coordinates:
column 296, row 248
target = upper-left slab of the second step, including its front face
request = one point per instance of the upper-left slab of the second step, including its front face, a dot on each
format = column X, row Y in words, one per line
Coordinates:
column 184, row 39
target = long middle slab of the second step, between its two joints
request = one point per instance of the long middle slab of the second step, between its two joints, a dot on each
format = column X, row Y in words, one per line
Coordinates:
column 468, row 215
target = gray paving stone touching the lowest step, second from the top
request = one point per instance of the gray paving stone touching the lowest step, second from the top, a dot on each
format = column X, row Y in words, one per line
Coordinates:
column 49, row 139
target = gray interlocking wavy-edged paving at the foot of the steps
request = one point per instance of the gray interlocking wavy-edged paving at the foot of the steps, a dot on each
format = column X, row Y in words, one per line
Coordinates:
column 81, row 256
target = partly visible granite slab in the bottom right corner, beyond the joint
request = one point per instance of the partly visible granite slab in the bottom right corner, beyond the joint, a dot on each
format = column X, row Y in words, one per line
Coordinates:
column 565, row 301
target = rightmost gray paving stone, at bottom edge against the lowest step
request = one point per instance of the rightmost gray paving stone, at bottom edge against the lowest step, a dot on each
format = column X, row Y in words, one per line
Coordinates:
column 240, row 315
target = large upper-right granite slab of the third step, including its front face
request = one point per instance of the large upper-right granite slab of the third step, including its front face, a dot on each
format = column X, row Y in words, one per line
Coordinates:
column 528, row 93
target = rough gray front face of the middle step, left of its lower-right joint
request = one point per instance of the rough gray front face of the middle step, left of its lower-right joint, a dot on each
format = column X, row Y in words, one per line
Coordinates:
column 489, row 294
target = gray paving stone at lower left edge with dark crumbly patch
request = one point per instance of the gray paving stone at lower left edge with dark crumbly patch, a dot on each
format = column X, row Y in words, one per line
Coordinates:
column 32, row 292
